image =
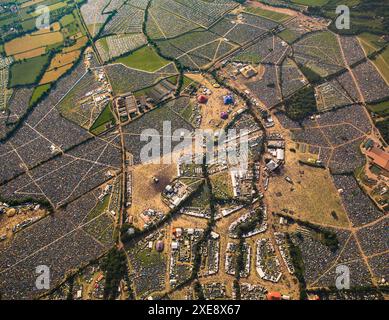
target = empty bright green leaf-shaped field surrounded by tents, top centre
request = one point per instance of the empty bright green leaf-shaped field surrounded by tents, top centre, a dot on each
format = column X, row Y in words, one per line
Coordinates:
column 143, row 59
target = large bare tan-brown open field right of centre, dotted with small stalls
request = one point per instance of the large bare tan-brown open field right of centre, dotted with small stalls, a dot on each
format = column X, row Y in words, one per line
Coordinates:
column 312, row 197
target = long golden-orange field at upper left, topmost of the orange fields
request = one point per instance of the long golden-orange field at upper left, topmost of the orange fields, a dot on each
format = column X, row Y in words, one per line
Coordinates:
column 31, row 42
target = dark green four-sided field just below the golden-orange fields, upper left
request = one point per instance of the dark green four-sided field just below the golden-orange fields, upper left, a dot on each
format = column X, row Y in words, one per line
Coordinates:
column 34, row 66
